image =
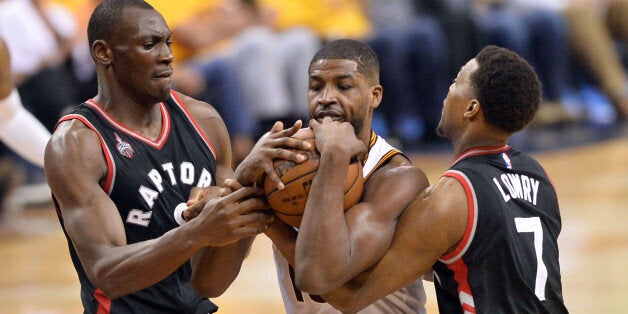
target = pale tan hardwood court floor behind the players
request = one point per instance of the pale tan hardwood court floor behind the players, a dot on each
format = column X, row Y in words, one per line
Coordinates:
column 36, row 275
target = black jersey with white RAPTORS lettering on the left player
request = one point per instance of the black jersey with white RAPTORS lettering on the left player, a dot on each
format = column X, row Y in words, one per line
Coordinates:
column 147, row 179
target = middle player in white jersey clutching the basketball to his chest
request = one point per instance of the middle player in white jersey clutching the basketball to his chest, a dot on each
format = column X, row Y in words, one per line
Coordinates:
column 334, row 246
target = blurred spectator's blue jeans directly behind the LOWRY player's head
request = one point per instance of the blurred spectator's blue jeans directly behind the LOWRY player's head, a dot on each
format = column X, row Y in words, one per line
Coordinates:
column 540, row 36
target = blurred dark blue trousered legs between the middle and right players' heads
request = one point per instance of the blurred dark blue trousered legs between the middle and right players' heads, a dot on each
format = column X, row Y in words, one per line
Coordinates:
column 412, row 49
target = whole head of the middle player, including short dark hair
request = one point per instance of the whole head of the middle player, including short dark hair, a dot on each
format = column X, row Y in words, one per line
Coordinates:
column 344, row 83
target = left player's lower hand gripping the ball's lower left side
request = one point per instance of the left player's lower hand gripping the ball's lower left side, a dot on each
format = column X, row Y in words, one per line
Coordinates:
column 227, row 219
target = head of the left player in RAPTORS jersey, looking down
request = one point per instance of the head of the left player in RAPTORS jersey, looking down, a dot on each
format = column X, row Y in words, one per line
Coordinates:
column 130, row 44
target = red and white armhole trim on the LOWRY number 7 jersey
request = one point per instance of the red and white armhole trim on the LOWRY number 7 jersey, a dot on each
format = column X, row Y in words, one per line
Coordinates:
column 471, row 220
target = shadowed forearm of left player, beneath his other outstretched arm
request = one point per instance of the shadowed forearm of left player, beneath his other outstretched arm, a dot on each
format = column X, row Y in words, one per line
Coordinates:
column 215, row 268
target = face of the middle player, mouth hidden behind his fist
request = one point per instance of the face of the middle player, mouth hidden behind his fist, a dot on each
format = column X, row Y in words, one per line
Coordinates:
column 338, row 90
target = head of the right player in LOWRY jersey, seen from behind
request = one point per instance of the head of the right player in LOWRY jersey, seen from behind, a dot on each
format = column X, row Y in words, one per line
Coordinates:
column 498, row 81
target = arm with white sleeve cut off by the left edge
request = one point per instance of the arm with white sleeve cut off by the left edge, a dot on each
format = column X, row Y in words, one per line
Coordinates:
column 19, row 129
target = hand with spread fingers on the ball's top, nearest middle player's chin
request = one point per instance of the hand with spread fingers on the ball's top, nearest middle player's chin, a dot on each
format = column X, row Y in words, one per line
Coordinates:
column 276, row 144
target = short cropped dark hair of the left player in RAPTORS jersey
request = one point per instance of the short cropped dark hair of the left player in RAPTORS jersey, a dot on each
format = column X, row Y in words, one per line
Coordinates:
column 107, row 15
